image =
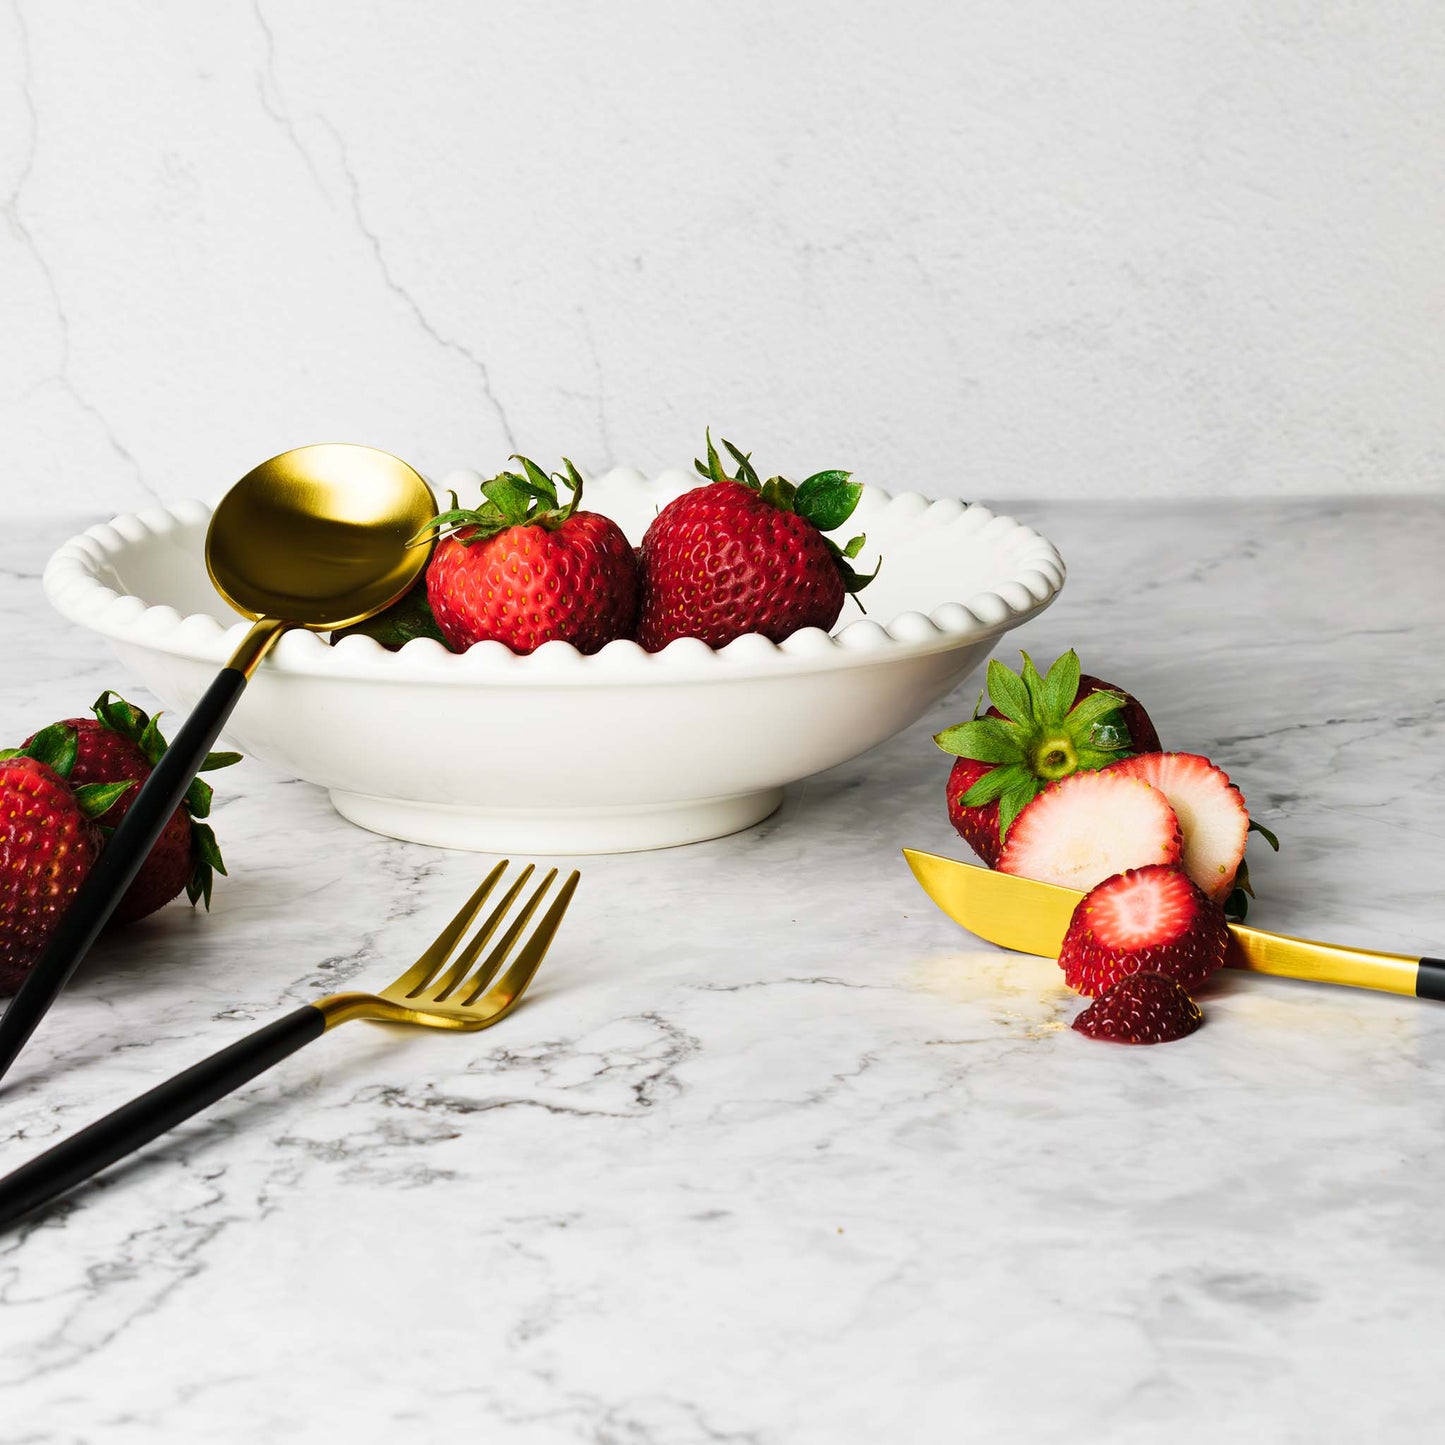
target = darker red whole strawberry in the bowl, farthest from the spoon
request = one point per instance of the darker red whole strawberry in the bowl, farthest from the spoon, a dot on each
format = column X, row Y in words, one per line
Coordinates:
column 742, row 556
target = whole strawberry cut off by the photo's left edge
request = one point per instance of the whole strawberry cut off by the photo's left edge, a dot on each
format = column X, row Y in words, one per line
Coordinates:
column 48, row 845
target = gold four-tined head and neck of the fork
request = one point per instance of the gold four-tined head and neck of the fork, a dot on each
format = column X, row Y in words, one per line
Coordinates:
column 467, row 995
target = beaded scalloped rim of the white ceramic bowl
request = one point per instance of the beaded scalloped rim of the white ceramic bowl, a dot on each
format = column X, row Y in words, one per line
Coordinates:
column 72, row 585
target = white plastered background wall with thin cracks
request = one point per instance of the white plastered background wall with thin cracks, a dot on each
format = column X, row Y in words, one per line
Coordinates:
column 1069, row 249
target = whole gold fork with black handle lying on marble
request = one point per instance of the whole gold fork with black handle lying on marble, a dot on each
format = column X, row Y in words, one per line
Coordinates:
column 467, row 996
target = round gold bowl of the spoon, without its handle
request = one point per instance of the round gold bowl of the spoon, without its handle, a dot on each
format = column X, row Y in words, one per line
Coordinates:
column 319, row 537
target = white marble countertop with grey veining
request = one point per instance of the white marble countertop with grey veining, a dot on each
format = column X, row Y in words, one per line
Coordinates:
column 775, row 1152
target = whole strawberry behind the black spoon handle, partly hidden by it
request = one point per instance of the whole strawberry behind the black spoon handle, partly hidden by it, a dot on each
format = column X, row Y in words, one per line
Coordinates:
column 122, row 743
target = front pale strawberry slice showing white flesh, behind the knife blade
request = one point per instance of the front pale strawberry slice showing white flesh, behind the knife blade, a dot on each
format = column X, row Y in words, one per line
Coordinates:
column 1090, row 827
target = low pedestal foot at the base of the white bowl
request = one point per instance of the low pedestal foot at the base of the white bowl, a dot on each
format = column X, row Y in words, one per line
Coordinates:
column 557, row 830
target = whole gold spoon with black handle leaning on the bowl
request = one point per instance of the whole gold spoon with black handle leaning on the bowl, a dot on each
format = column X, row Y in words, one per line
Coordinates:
column 314, row 538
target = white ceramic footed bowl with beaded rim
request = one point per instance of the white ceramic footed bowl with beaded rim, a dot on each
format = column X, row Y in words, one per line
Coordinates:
column 558, row 752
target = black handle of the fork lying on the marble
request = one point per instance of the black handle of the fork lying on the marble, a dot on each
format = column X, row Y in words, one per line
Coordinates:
column 144, row 1119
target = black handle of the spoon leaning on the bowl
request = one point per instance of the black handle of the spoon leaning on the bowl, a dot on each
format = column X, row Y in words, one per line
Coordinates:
column 119, row 863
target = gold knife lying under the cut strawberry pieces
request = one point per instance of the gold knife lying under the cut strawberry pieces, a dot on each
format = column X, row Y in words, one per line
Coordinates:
column 1032, row 918
